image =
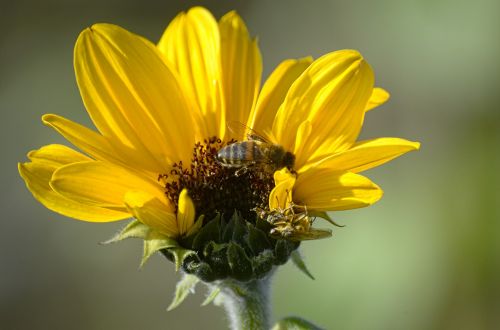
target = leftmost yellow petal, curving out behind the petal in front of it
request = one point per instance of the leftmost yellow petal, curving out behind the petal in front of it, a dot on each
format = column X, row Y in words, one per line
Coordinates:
column 38, row 173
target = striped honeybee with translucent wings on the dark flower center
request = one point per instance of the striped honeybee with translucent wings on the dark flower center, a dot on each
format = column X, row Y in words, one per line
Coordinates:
column 255, row 151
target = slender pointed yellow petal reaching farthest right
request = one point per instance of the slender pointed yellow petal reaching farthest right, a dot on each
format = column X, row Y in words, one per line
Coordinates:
column 368, row 154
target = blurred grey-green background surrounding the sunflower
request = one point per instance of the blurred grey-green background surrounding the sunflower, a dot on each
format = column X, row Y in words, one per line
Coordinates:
column 427, row 256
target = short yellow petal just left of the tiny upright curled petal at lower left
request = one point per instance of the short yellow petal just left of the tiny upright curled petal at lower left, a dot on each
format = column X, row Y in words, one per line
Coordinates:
column 152, row 212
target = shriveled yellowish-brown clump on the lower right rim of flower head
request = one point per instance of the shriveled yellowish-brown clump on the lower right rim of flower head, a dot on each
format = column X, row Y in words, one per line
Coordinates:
column 292, row 223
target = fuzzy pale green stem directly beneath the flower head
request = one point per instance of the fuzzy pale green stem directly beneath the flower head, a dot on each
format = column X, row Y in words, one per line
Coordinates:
column 246, row 303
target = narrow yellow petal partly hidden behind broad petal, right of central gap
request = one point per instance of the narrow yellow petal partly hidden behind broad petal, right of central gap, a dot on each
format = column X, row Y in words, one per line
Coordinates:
column 273, row 93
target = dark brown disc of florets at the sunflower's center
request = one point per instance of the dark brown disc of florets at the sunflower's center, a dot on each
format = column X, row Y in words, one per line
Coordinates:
column 217, row 189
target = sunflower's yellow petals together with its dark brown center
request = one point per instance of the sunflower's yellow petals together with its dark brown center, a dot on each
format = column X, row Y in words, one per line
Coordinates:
column 162, row 112
